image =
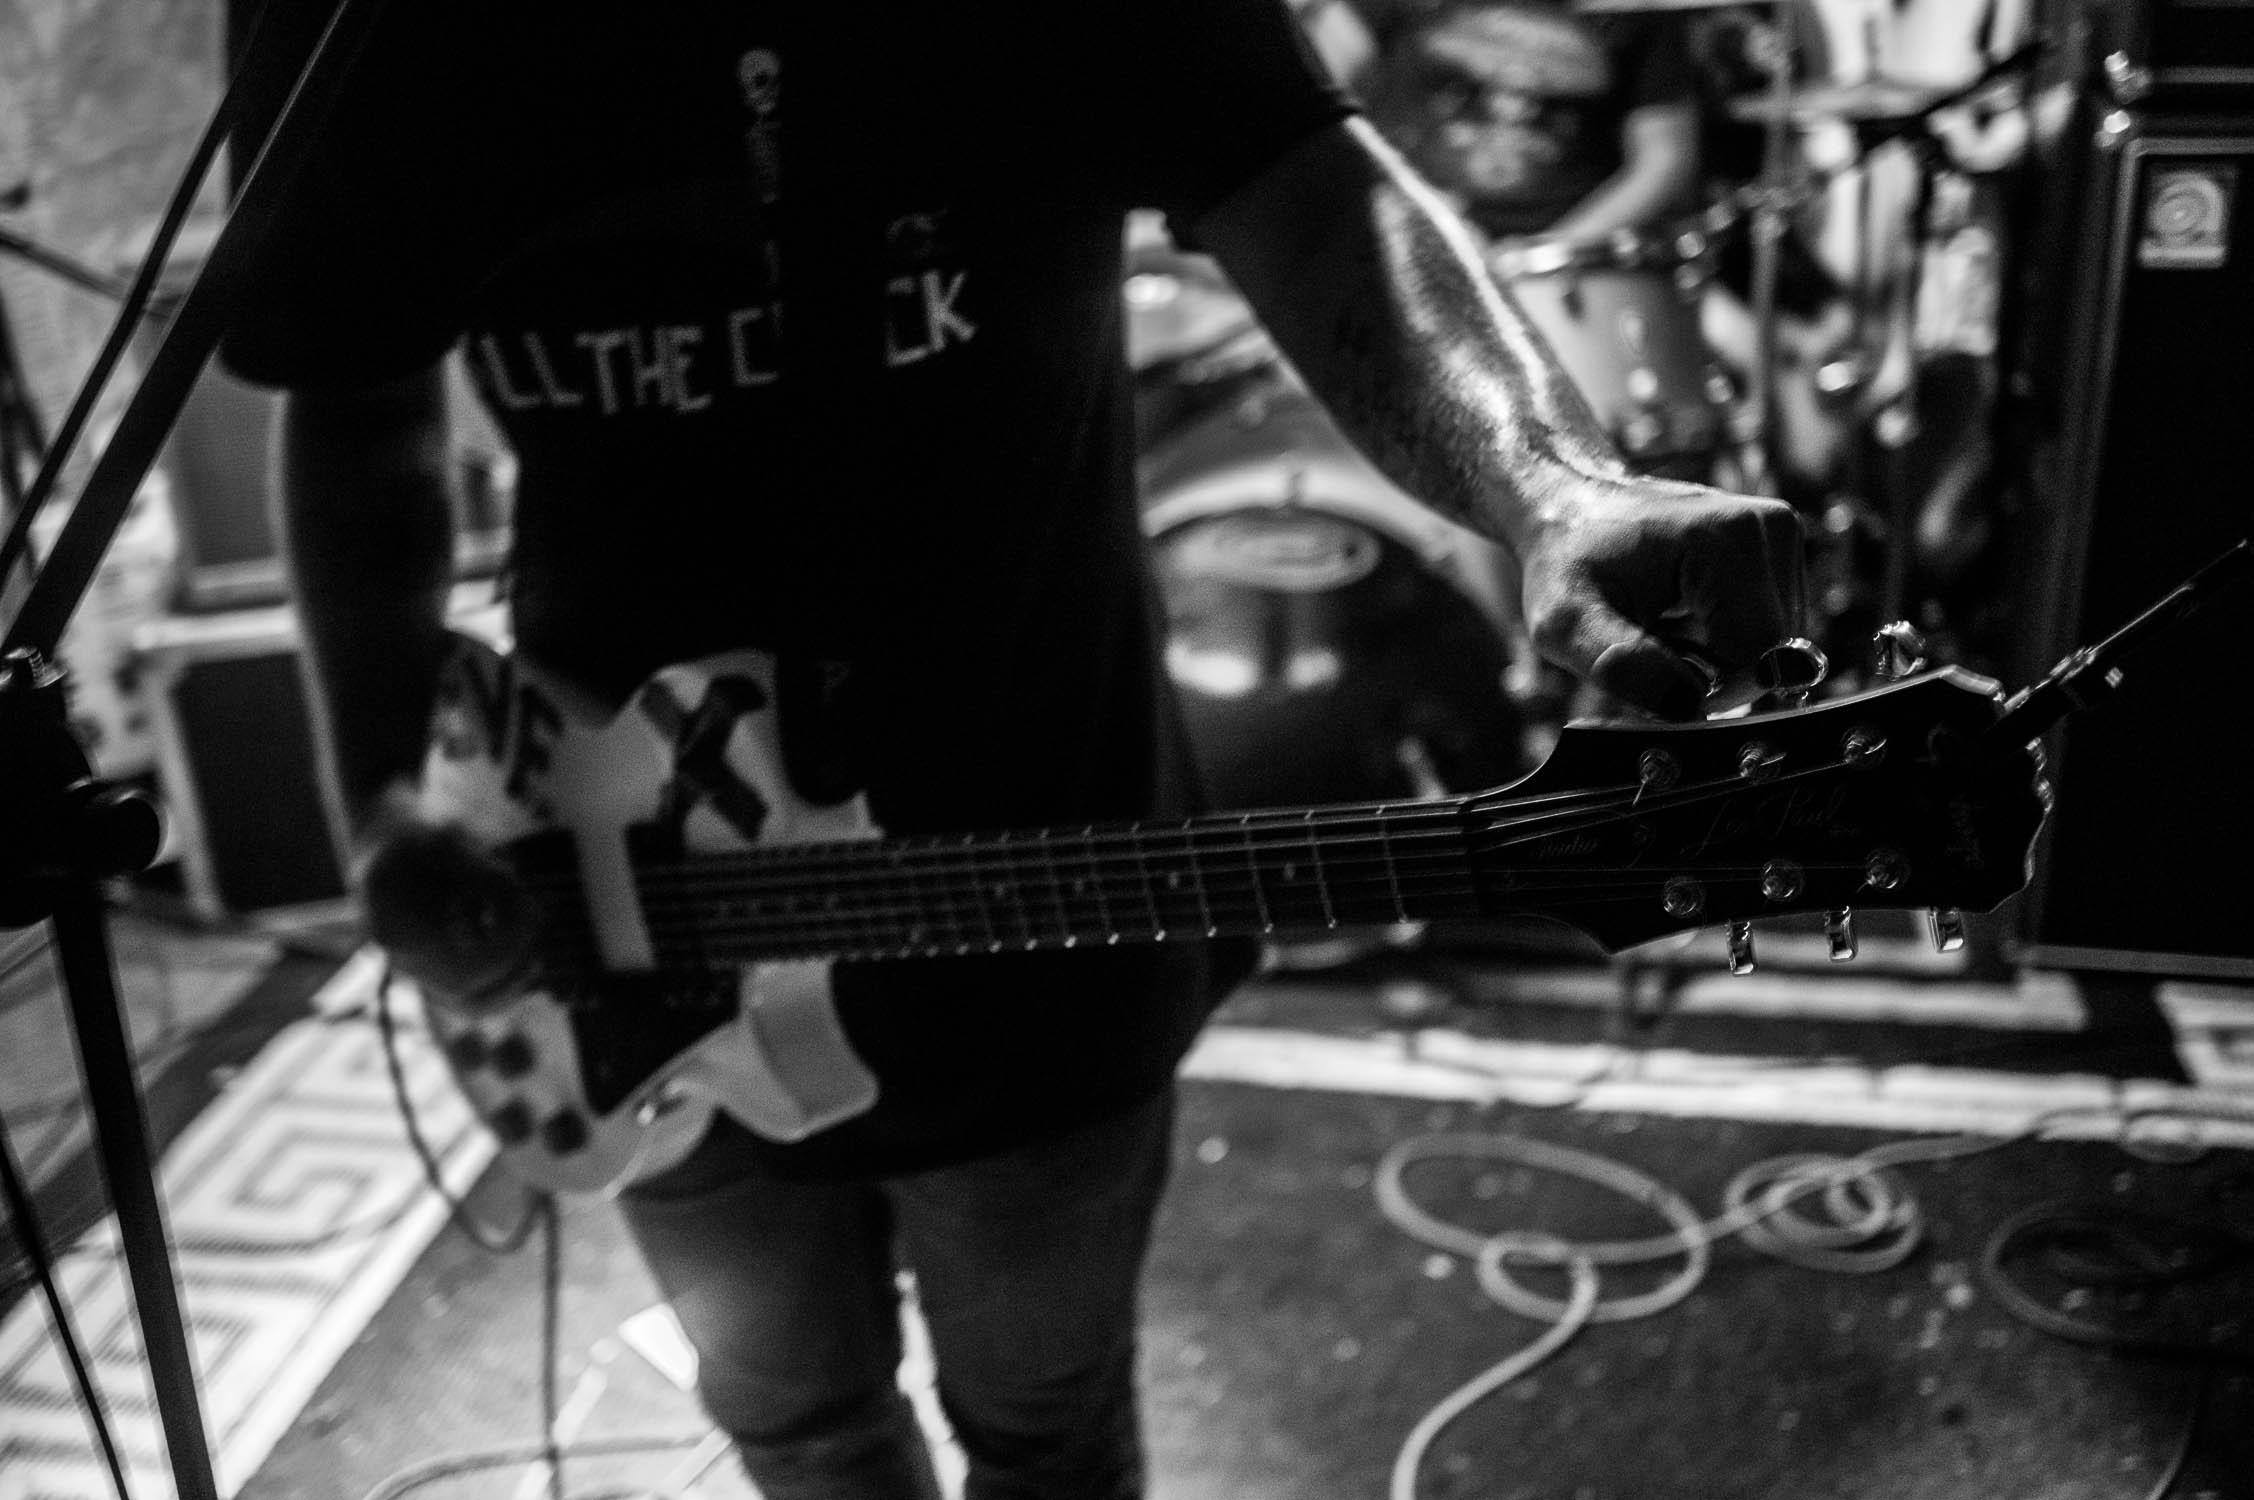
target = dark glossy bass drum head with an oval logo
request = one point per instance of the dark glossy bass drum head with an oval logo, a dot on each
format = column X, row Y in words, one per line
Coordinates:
column 1320, row 660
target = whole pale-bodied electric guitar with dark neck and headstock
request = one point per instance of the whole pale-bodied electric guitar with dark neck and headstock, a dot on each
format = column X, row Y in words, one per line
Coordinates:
column 693, row 903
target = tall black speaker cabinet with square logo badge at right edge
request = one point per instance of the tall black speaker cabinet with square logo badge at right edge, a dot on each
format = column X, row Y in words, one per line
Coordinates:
column 2140, row 482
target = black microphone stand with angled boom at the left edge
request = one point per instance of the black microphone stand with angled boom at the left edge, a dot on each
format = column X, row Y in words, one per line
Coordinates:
column 64, row 831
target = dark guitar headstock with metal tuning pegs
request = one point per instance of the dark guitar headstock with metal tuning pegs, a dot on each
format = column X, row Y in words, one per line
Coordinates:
column 1894, row 797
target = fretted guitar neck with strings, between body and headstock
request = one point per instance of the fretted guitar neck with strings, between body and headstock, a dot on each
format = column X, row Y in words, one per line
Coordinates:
column 1243, row 874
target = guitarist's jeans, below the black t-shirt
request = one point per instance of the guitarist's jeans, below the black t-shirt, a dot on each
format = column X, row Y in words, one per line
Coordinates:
column 1027, row 1269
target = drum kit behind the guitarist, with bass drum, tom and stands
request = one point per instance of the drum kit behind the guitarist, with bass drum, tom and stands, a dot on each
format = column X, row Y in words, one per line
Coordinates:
column 1331, row 637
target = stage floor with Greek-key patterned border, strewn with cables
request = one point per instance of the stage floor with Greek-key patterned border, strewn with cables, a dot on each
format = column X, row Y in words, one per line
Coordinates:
column 1295, row 1336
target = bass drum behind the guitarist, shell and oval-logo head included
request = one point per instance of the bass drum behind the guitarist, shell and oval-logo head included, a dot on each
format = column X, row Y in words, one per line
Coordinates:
column 1326, row 637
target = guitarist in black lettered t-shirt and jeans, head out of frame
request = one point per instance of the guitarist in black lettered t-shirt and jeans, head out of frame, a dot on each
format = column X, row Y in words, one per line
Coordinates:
column 806, row 328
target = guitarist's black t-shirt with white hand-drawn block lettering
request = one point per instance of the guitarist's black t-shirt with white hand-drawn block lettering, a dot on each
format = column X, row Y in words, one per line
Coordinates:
column 806, row 330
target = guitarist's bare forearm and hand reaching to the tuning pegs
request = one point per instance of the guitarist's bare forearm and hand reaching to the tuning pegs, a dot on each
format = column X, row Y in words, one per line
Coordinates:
column 1381, row 301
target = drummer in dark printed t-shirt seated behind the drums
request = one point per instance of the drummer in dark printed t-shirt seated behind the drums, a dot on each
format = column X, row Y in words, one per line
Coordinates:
column 1541, row 121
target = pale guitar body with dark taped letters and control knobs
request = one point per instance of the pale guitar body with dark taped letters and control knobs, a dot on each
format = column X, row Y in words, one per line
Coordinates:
column 612, row 1066
